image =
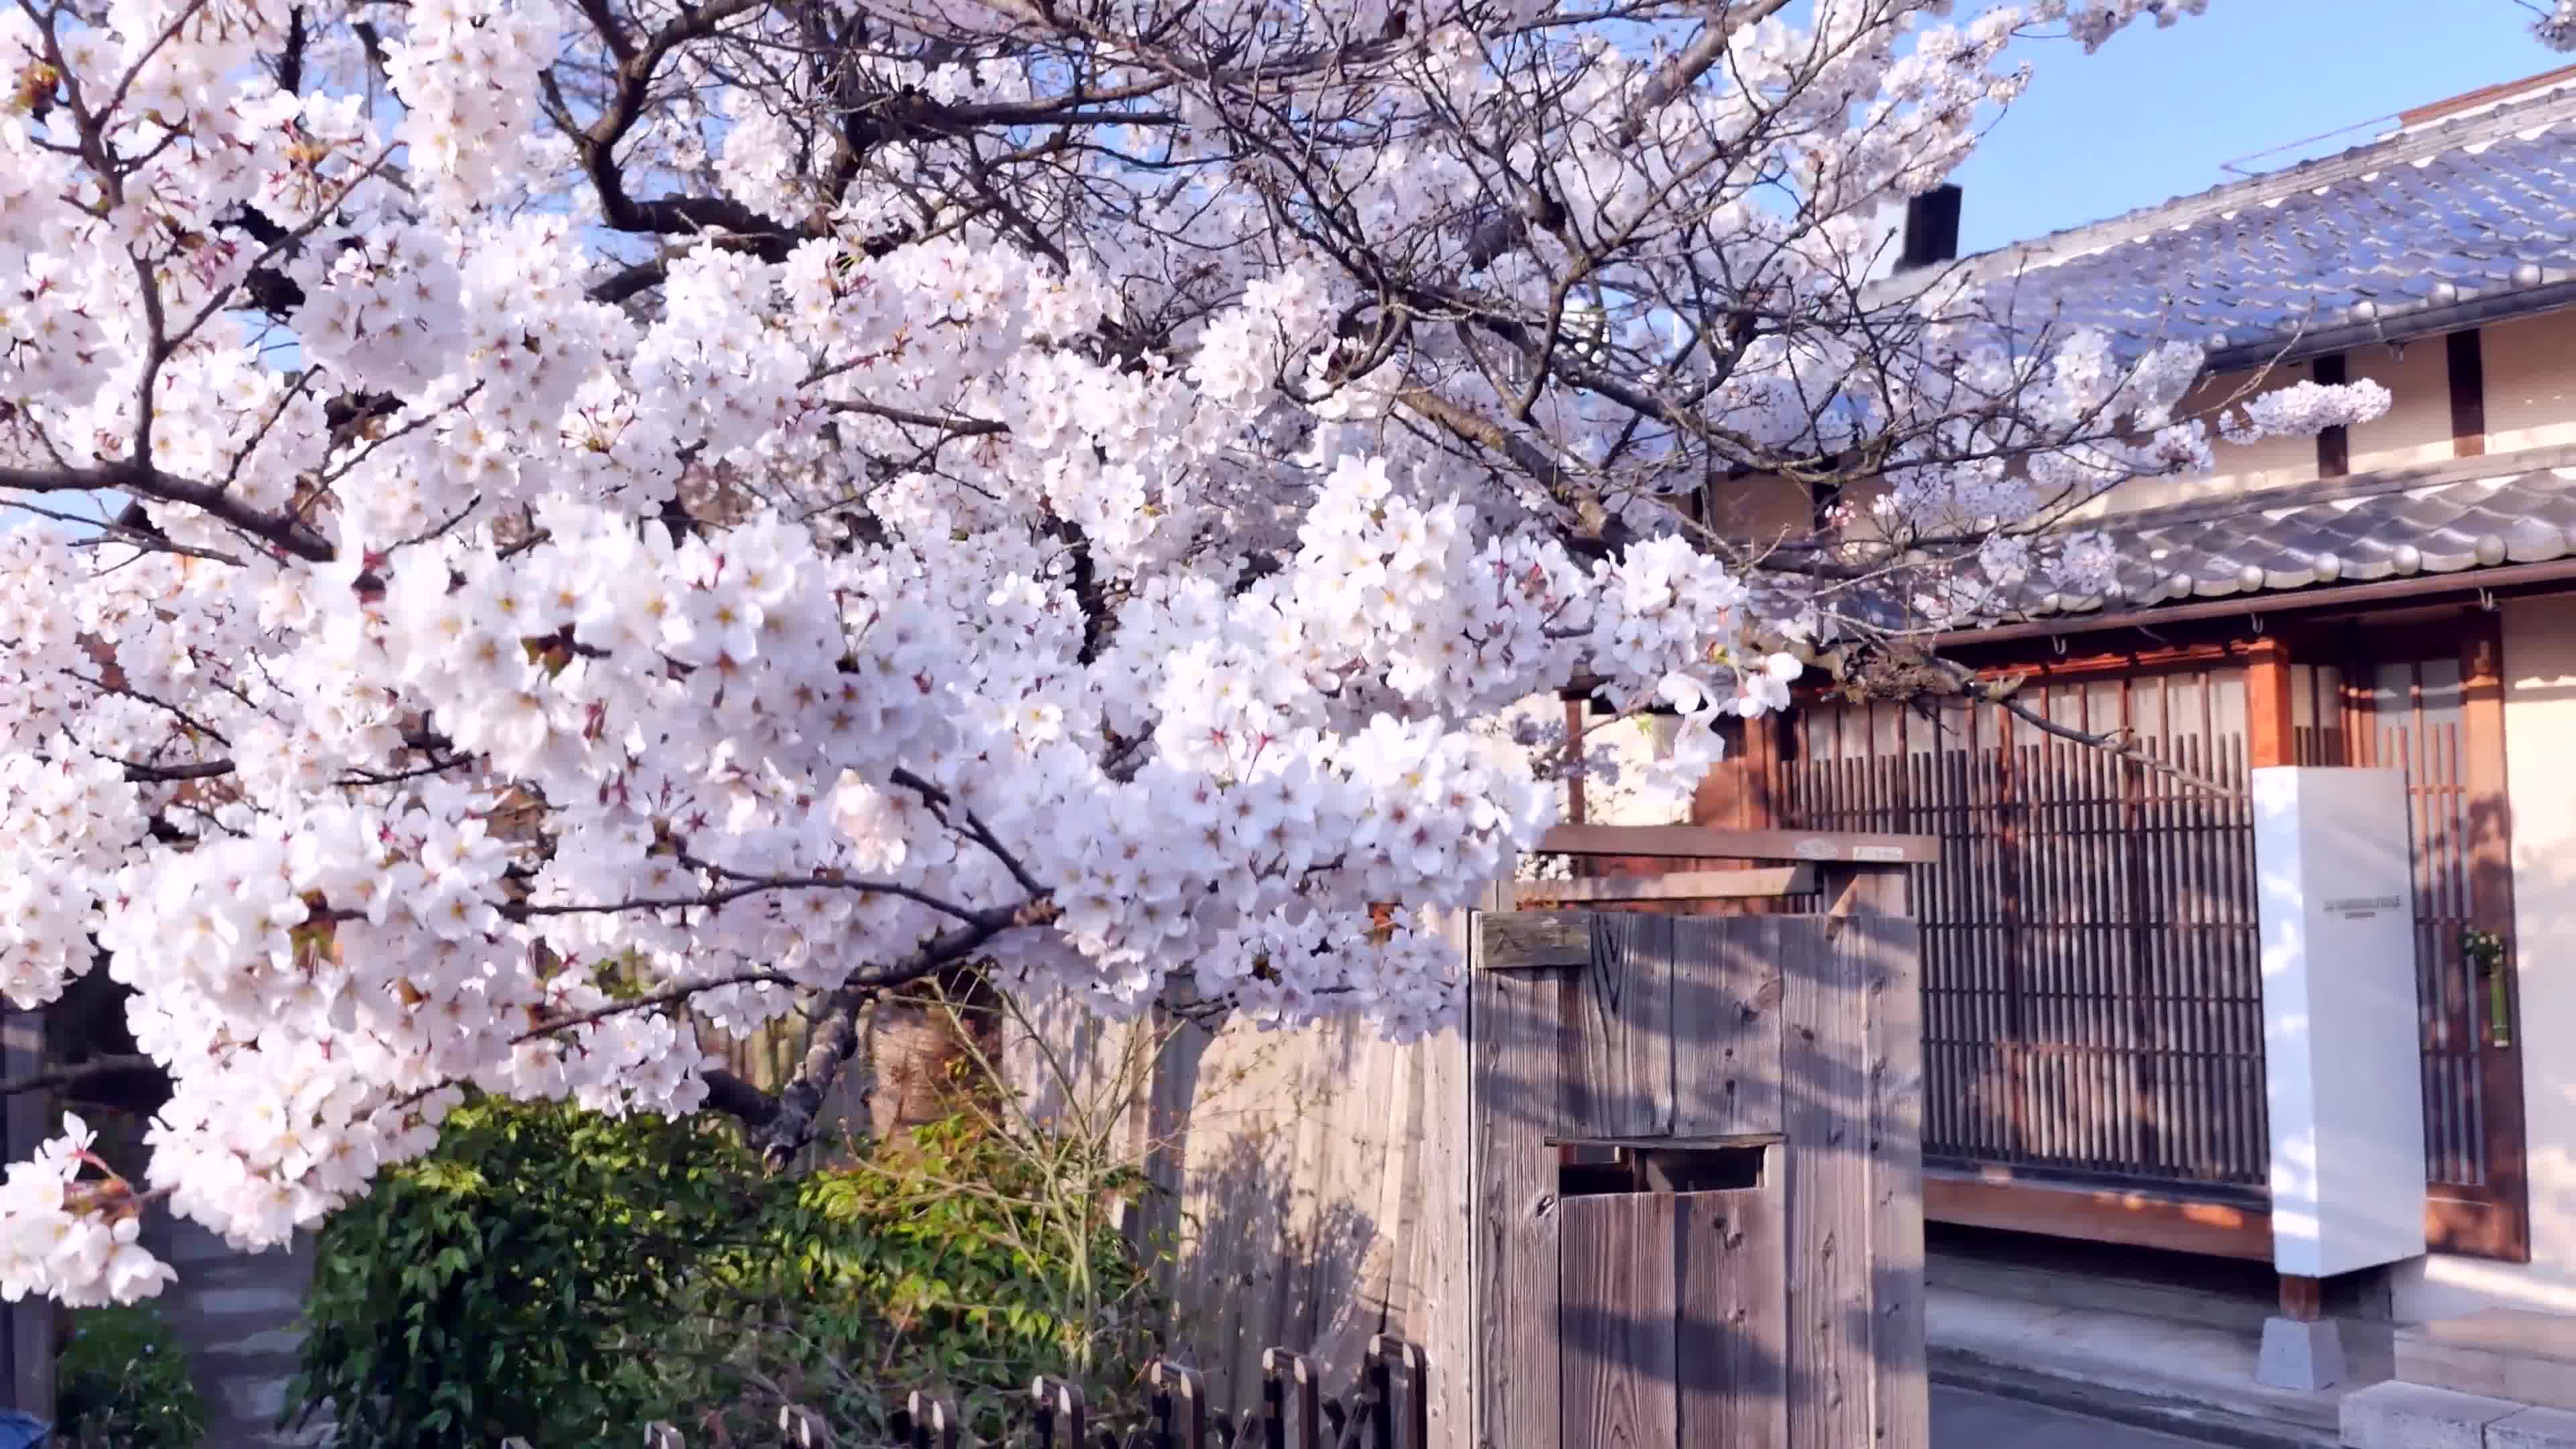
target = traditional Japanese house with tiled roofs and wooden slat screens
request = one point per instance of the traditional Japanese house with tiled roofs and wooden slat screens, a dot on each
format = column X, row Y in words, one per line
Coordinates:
column 2394, row 594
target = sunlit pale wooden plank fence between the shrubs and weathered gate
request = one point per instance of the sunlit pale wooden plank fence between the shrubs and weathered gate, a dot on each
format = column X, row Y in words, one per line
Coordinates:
column 1292, row 1182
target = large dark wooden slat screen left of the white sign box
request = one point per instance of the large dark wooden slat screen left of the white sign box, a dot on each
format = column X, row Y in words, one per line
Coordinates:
column 2093, row 997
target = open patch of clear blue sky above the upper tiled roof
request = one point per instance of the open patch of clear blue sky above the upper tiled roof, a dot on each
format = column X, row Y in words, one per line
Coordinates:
column 2157, row 112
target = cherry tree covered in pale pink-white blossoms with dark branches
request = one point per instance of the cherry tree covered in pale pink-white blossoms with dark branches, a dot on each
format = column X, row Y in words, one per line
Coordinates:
column 558, row 532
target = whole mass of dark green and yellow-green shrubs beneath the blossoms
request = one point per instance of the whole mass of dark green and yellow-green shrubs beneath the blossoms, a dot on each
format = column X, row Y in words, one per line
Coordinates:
column 571, row 1278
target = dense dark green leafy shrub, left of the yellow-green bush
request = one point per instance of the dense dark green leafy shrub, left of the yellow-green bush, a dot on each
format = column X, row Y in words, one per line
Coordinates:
column 504, row 1283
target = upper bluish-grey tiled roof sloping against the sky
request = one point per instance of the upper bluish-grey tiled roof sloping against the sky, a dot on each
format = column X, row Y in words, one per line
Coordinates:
column 2472, row 208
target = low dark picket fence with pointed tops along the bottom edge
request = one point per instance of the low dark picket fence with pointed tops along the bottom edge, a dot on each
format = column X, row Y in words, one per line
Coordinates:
column 1385, row 1409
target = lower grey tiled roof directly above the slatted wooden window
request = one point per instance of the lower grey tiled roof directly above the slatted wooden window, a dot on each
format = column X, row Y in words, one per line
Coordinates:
column 2338, row 532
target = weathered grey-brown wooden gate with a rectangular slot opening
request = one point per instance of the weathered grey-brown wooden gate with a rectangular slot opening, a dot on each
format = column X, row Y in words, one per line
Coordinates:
column 1696, row 1172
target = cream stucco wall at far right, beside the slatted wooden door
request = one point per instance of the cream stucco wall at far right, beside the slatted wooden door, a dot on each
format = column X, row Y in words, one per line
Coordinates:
column 2541, row 785
